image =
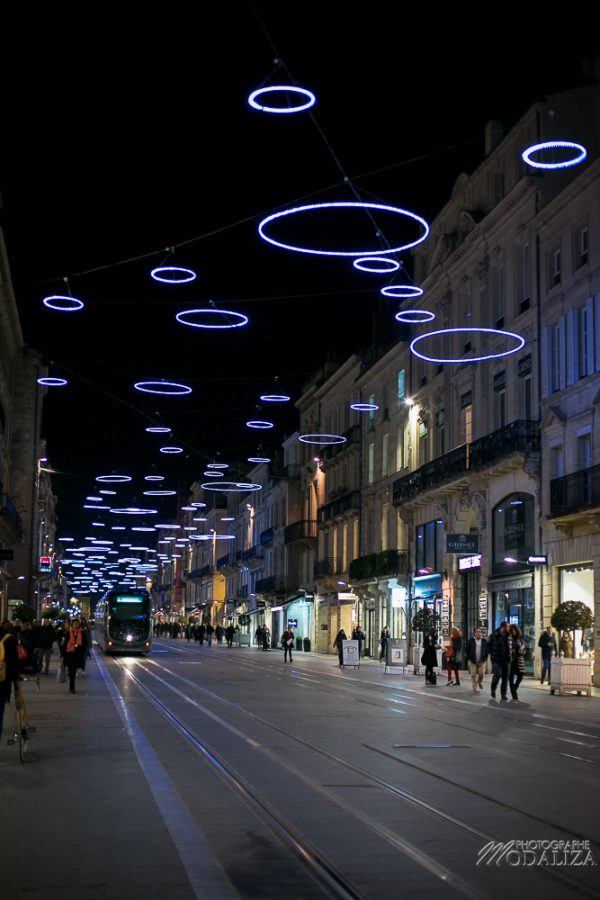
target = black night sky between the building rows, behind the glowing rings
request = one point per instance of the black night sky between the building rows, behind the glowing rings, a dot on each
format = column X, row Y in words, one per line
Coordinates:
column 122, row 138
